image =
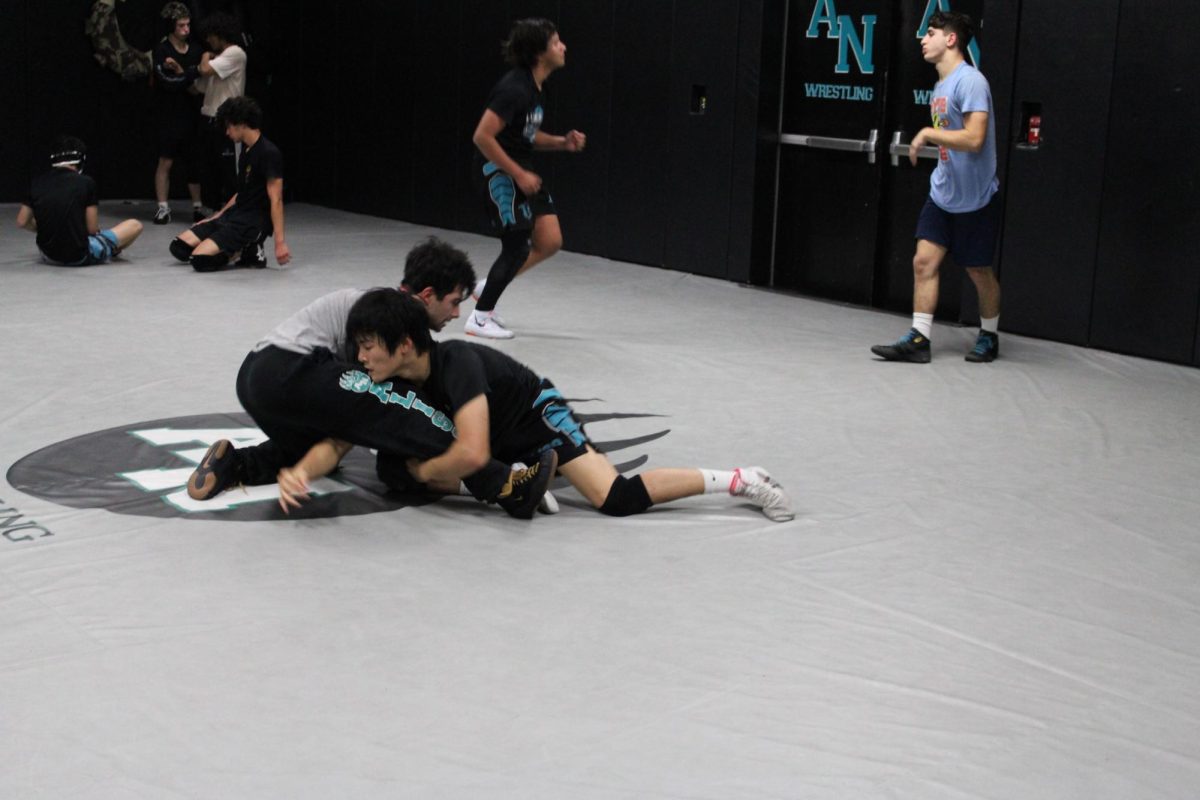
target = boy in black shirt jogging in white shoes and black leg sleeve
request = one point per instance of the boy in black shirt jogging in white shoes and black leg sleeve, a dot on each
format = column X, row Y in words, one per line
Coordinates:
column 508, row 134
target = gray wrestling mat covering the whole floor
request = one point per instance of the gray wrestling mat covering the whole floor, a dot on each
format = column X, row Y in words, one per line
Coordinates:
column 989, row 590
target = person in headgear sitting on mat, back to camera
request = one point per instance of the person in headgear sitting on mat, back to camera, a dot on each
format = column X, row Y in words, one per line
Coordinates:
column 63, row 210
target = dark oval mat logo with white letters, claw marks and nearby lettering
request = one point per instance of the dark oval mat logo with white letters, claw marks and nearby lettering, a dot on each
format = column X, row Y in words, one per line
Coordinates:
column 142, row 470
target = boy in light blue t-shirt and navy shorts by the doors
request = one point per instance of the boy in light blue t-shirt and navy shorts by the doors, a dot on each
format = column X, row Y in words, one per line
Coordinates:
column 962, row 215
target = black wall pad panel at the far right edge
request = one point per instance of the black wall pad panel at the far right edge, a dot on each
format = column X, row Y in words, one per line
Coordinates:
column 1148, row 274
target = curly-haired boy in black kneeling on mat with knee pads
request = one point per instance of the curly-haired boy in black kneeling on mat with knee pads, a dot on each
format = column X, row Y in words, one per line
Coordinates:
column 254, row 213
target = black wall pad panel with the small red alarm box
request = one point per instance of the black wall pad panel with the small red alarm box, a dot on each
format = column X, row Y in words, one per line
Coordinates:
column 1053, row 193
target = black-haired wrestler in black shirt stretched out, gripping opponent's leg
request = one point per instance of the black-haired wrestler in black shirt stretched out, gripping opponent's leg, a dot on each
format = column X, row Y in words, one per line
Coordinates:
column 501, row 410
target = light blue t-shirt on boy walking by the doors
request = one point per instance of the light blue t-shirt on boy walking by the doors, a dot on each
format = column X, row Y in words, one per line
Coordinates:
column 963, row 182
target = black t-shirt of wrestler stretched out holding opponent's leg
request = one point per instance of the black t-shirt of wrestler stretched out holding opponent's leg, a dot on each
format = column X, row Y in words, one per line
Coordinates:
column 463, row 371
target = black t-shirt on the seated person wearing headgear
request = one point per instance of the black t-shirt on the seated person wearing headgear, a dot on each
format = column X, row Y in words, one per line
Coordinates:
column 61, row 200
